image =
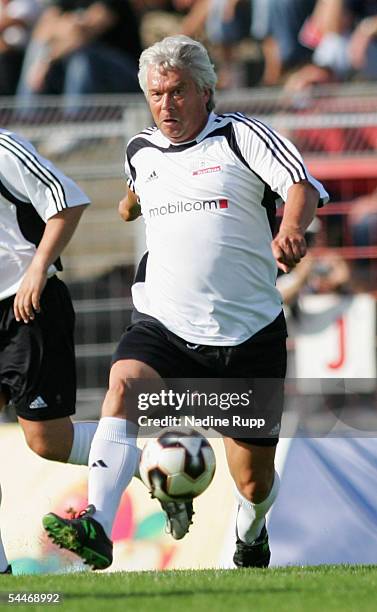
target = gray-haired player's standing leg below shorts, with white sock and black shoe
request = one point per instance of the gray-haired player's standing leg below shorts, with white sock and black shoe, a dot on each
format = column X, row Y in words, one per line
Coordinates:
column 256, row 487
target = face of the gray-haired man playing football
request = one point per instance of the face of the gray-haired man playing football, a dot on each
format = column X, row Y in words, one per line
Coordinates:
column 178, row 108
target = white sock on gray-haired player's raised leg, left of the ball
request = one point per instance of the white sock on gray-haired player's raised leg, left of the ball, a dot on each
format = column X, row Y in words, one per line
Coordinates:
column 113, row 459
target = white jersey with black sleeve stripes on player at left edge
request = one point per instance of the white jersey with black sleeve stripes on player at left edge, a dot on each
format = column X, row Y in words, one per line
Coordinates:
column 31, row 191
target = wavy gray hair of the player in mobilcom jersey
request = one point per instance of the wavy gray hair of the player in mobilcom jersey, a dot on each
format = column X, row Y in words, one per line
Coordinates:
column 180, row 52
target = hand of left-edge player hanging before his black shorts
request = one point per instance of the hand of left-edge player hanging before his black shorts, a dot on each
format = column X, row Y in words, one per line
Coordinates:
column 27, row 299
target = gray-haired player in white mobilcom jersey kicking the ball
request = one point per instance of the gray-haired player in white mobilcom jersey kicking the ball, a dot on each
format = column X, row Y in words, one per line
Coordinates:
column 205, row 299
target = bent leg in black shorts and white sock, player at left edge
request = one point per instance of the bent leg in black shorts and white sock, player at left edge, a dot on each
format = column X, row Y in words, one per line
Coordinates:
column 45, row 394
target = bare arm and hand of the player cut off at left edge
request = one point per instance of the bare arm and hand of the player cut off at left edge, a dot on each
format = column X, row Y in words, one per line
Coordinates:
column 57, row 234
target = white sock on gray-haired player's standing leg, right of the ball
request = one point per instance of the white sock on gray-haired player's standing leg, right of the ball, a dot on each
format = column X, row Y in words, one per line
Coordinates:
column 251, row 517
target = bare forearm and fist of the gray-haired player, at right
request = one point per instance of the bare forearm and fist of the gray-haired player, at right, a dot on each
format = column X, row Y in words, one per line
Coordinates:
column 289, row 246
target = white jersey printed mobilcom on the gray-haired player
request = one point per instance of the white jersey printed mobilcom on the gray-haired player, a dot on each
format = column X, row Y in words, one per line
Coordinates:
column 208, row 207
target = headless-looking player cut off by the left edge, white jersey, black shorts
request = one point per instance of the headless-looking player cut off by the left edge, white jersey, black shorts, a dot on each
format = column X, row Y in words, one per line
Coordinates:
column 40, row 209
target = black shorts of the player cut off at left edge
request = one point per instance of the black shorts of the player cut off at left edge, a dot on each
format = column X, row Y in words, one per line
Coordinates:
column 37, row 359
